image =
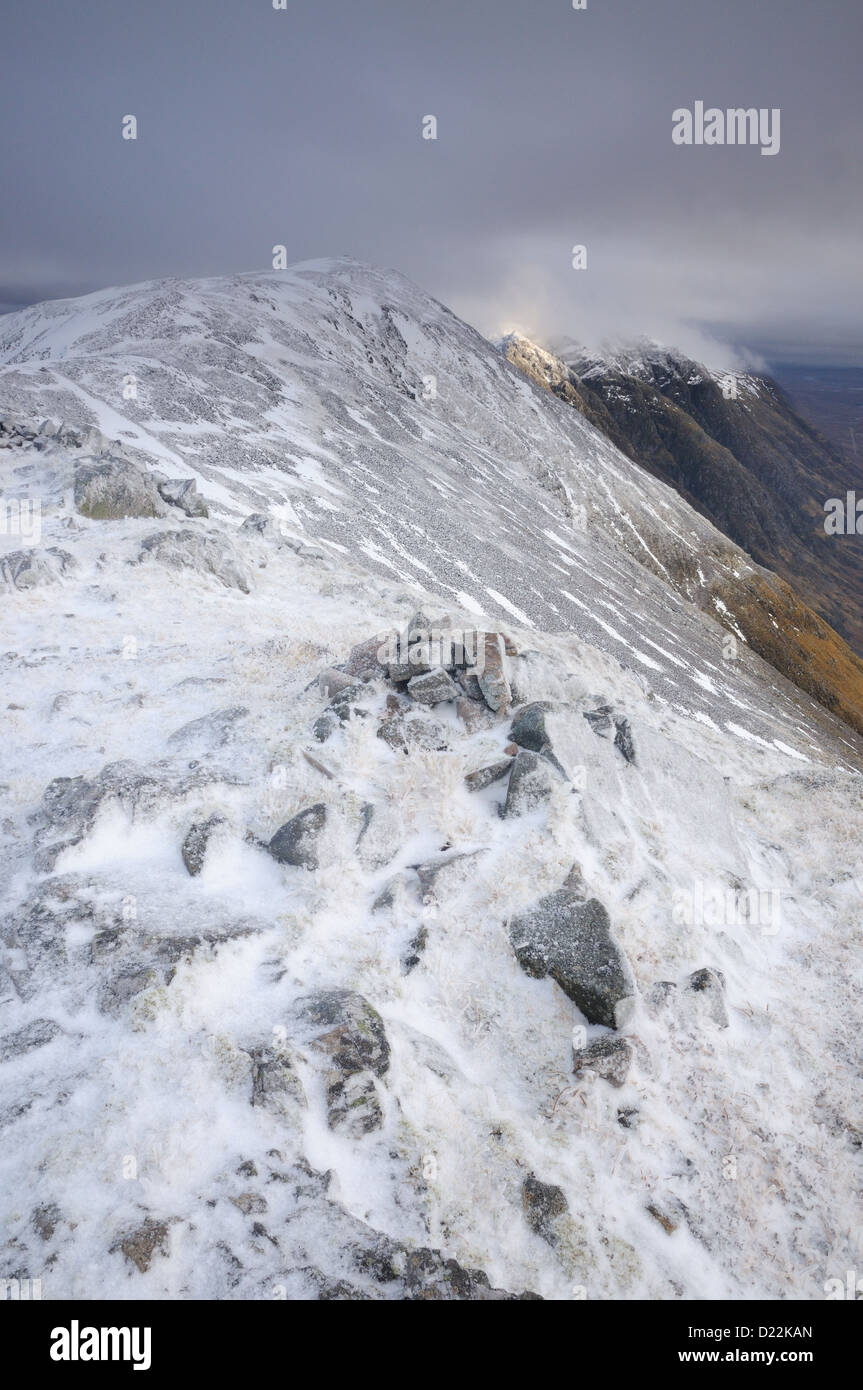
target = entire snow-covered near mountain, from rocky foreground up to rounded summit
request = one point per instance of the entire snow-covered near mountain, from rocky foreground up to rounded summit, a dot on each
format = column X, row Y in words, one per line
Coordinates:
column 552, row 985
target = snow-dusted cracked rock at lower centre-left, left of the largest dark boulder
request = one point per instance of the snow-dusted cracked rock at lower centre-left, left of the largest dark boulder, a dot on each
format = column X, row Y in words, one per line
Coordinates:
column 348, row 1033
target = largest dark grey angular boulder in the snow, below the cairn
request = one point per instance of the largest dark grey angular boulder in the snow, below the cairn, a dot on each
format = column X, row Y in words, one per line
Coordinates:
column 572, row 940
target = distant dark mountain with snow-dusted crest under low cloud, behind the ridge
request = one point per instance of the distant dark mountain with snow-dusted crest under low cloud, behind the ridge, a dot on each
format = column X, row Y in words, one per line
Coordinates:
column 733, row 447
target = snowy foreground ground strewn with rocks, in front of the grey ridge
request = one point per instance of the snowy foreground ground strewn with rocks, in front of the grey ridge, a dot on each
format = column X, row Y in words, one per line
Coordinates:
column 173, row 1117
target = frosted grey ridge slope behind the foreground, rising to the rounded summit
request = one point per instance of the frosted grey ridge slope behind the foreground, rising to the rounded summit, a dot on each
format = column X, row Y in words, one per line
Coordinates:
column 375, row 423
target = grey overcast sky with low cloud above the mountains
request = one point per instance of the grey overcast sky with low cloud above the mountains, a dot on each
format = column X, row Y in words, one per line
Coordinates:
column 304, row 127
